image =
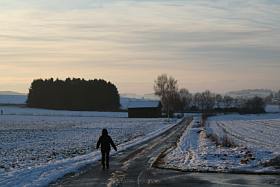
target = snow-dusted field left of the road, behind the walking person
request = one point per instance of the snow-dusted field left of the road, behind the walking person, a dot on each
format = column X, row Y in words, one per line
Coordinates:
column 38, row 148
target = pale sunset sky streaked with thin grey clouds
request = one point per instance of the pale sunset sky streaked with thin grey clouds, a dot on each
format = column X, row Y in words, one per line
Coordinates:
column 219, row 45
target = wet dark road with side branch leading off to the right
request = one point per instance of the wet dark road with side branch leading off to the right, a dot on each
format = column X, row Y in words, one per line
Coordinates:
column 133, row 167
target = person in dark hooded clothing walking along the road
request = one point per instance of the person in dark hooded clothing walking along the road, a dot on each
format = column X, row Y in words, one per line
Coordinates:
column 106, row 142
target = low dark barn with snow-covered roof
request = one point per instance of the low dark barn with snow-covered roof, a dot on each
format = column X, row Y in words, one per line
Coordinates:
column 144, row 109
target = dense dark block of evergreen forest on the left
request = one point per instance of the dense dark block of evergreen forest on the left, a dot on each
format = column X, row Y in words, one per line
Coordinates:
column 74, row 94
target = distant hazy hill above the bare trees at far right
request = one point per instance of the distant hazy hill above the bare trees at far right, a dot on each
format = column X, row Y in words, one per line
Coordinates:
column 250, row 93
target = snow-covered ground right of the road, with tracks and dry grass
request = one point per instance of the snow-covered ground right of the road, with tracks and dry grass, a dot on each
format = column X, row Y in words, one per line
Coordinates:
column 229, row 143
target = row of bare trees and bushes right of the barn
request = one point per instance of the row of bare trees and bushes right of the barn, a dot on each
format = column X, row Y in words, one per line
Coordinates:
column 174, row 99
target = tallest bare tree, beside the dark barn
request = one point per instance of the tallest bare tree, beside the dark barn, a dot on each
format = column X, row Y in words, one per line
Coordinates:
column 167, row 89
